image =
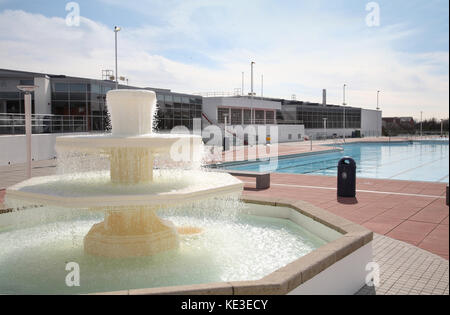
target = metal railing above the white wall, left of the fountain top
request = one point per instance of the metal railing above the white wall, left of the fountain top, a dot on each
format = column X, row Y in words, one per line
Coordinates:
column 13, row 124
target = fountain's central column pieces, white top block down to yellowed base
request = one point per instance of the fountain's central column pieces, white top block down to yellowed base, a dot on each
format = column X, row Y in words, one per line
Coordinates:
column 129, row 231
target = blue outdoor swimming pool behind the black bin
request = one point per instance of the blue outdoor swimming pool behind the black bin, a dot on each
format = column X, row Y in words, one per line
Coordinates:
column 416, row 161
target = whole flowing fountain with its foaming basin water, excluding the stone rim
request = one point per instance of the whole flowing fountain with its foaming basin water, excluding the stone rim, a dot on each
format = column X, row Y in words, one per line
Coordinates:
column 129, row 224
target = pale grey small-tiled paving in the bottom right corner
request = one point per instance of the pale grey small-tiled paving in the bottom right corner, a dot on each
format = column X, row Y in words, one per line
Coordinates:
column 407, row 269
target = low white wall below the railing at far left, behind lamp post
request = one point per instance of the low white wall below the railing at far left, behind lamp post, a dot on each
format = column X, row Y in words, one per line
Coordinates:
column 13, row 148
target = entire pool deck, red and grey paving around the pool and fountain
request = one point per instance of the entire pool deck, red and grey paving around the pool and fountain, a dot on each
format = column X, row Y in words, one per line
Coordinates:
column 410, row 219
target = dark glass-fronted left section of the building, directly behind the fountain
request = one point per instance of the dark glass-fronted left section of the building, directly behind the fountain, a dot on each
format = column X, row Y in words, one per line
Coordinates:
column 70, row 104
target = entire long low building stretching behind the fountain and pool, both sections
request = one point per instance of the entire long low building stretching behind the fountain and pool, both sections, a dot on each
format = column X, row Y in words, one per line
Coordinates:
column 70, row 104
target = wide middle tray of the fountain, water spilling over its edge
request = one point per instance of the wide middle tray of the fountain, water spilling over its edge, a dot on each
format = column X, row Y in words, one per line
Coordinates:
column 96, row 191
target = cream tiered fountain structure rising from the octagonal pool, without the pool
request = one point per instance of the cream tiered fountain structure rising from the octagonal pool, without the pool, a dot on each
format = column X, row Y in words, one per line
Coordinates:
column 131, row 226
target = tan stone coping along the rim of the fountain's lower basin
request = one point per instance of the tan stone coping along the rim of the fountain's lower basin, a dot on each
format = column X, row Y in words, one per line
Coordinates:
column 289, row 277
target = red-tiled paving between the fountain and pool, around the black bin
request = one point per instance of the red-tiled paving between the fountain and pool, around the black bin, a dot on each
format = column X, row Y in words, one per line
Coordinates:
column 414, row 212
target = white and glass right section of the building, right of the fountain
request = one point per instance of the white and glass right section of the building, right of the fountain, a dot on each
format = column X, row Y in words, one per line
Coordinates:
column 319, row 120
